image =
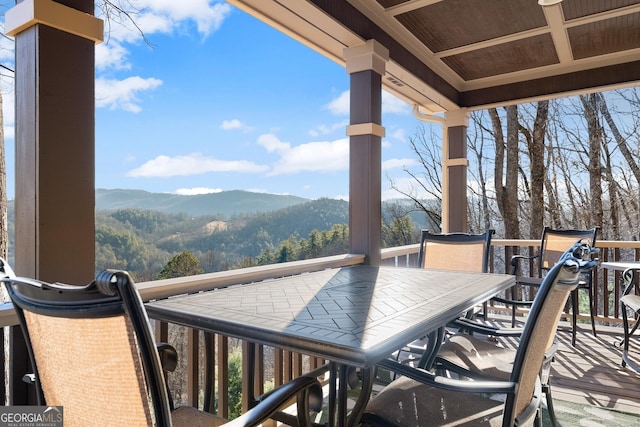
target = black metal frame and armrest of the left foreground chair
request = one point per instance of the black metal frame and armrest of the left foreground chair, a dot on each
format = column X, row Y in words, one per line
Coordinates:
column 113, row 293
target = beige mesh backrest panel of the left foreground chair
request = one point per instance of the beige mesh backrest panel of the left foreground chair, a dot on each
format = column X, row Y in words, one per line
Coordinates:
column 98, row 353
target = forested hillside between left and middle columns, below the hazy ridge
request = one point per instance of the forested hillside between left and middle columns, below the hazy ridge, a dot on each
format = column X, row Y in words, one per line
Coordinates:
column 143, row 241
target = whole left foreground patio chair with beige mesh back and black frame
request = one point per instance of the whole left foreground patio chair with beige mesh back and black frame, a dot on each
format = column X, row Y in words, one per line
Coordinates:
column 93, row 353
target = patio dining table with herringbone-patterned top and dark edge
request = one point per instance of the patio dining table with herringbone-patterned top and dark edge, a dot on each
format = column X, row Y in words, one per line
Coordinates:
column 351, row 316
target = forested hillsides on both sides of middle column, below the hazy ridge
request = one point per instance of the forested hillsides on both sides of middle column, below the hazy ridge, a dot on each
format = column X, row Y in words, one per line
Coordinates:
column 143, row 241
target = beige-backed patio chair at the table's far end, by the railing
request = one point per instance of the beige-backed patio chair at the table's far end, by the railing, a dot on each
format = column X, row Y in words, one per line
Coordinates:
column 450, row 251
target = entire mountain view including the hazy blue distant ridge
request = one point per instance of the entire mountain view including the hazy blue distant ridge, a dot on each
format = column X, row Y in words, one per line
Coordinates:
column 141, row 232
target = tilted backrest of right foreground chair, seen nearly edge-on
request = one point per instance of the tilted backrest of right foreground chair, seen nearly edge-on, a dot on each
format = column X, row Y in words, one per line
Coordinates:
column 540, row 328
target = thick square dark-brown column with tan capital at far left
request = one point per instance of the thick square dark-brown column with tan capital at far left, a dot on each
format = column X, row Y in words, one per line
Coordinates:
column 55, row 137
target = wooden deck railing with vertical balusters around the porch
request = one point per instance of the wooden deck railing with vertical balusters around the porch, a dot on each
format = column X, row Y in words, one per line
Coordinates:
column 278, row 366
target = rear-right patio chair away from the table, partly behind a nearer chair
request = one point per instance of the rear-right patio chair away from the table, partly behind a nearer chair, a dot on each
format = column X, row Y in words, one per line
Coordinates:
column 552, row 246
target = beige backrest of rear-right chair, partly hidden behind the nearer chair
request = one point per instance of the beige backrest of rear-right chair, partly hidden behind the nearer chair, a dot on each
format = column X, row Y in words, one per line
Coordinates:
column 555, row 242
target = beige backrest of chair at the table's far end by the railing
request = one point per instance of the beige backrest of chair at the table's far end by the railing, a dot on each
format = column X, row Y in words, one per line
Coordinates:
column 455, row 251
